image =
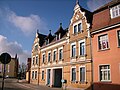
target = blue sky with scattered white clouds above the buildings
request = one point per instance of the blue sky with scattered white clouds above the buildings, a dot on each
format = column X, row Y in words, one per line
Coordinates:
column 20, row 19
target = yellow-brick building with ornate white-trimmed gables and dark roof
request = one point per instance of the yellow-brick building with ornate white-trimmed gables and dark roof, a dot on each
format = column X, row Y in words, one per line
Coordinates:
column 66, row 55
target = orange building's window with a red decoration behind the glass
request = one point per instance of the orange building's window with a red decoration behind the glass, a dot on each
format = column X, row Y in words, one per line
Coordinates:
column 103, row 42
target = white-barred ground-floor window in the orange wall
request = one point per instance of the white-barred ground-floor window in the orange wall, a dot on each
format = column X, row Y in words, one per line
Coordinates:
column 104, row 72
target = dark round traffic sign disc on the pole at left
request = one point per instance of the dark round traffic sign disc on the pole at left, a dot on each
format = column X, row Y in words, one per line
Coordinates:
column 5, row 58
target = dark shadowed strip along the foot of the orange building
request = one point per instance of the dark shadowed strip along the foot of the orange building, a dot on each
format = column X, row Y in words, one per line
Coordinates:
column 105, row 86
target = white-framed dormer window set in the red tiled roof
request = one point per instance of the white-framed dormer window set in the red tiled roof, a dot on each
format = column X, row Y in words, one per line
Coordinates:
column 115, row 11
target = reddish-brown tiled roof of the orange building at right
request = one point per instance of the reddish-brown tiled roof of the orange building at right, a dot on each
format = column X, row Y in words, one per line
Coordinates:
column 102, row 18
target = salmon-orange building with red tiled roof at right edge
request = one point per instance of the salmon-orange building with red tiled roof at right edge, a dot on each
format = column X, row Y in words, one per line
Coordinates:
column 106, row 46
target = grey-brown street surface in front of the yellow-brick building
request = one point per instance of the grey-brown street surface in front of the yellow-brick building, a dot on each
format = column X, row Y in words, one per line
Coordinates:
column 13, row 84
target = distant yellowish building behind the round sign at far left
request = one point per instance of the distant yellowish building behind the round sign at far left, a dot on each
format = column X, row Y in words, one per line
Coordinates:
column 11, row 68
